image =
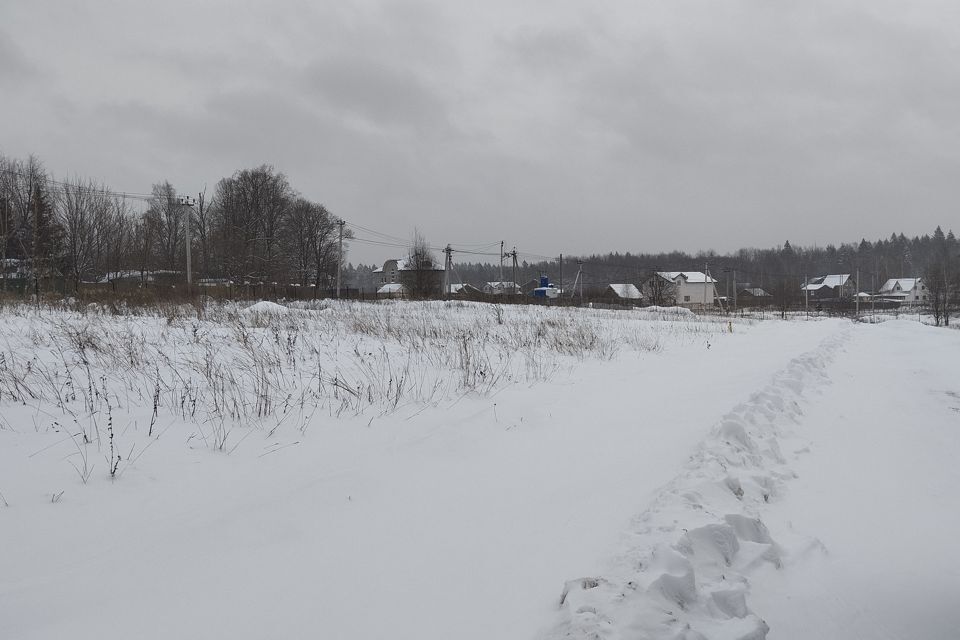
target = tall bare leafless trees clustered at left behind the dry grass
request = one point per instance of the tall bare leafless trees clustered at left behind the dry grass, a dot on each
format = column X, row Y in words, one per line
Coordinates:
column 254, row 228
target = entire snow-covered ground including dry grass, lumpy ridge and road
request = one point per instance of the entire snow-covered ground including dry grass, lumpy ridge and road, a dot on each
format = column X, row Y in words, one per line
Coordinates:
column 450, row 470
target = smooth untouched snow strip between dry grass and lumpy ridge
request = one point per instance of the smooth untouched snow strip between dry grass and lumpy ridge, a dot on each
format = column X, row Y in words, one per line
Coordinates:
column 463, row 520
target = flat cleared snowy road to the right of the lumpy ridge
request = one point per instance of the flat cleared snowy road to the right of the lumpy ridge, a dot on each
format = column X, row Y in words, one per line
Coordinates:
column 879, row 490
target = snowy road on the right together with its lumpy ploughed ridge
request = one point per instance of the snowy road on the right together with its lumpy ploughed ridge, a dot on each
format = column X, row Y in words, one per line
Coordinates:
column 823, row 507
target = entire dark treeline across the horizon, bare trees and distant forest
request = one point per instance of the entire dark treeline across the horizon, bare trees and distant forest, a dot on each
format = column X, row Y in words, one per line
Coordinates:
column 254, row 226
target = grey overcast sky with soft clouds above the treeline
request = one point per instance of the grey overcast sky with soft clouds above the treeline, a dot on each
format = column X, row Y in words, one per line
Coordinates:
column 572, row 127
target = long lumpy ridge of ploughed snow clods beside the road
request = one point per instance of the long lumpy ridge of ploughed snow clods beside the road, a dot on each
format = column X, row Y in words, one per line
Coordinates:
column 686, row 571
